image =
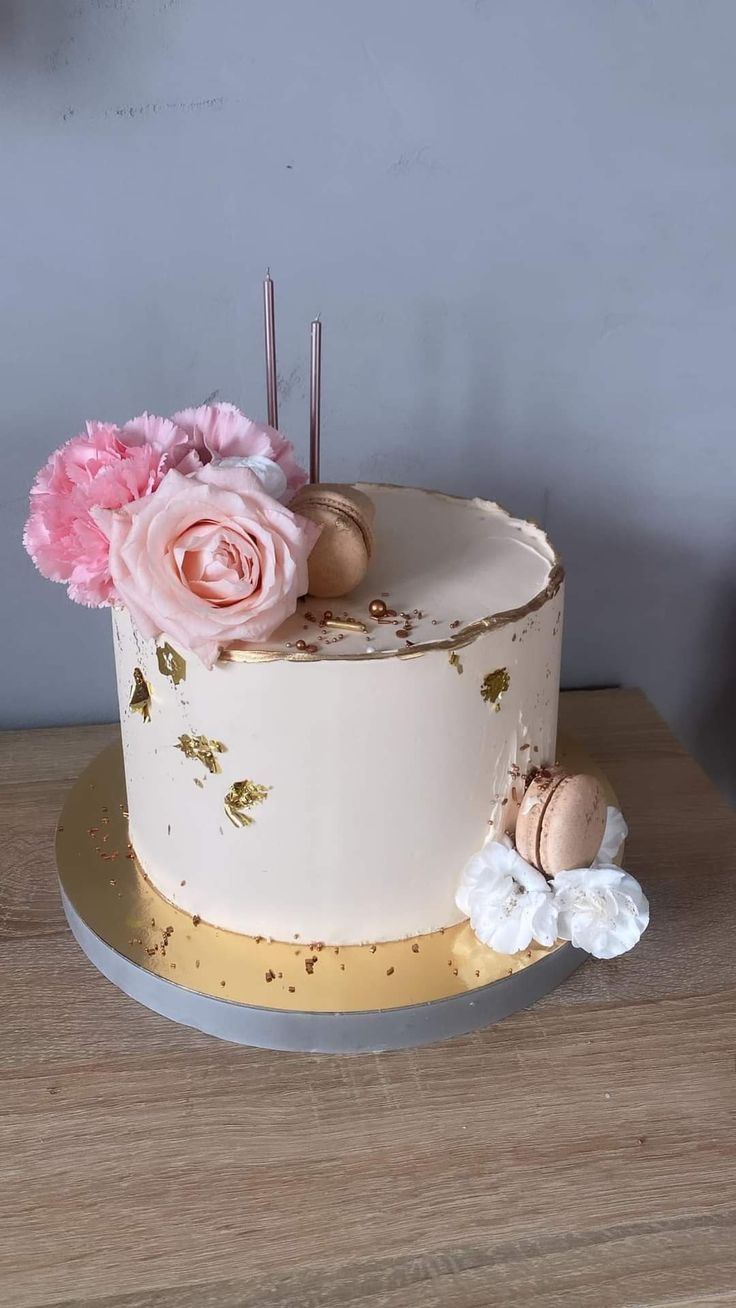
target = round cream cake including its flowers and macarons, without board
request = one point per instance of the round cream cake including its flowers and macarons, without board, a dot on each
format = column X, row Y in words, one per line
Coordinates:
column 305, row 765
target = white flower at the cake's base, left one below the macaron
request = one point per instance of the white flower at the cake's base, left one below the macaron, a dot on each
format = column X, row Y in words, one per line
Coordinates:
column 508, row 902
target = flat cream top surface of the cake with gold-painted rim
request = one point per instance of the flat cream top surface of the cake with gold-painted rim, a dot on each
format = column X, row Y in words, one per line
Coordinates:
column 443, row 566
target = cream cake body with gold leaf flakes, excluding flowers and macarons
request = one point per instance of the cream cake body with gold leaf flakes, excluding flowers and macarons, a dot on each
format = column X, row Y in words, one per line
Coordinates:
column 335, row 793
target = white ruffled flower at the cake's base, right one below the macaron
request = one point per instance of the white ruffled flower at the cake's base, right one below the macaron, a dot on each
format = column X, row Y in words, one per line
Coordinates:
column 601, row 910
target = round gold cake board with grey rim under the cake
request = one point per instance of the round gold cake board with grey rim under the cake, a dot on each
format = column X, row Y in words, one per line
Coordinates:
column 301, row 996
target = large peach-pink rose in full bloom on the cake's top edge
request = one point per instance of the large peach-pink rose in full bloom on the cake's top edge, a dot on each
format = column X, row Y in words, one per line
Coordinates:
column 209, row 560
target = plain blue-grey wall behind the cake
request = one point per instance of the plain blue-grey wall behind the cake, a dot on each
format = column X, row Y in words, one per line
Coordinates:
column 517, row 219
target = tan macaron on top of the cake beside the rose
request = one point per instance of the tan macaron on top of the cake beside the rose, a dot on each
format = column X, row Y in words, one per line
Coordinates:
column 341, row 558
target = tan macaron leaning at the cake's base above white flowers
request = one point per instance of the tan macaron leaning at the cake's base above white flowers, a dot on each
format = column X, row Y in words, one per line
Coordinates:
column 561, row 821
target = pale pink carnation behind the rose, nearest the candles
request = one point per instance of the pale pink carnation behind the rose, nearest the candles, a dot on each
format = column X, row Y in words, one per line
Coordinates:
column 223, row 432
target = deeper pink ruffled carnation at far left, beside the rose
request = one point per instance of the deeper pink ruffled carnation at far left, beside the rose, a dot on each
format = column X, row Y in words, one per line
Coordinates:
column 96, row 470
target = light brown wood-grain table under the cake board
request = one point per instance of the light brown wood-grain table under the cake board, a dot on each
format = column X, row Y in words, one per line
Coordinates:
column 581, row 1153
